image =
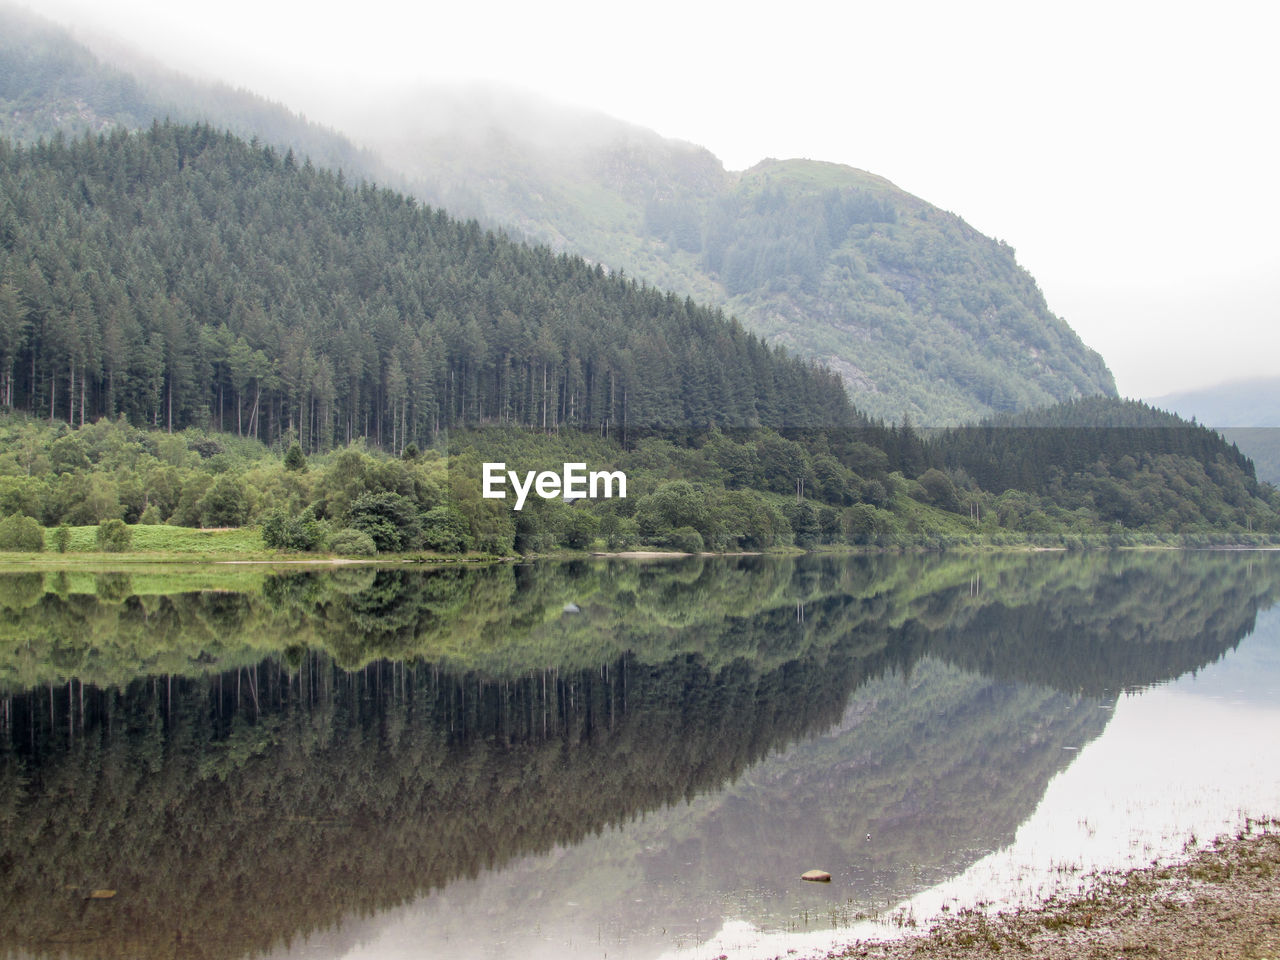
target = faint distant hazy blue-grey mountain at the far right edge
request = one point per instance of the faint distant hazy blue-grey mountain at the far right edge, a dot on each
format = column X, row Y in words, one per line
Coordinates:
column 1247, row 413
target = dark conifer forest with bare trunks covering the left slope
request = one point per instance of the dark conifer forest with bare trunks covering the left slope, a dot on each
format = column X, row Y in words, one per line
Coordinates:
column 184, row 277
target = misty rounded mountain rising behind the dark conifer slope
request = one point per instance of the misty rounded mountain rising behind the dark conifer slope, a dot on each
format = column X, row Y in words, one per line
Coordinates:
column 920, row 314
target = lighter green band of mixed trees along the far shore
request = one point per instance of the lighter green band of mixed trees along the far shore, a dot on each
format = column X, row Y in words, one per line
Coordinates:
column 689, row 491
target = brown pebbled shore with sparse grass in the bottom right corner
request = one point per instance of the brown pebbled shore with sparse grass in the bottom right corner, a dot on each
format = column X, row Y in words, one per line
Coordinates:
column 1222, row 903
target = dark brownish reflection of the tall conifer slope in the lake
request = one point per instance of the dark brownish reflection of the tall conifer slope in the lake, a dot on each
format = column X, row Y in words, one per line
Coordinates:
column 231, row 811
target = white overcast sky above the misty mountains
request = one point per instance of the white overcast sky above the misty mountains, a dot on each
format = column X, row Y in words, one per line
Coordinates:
column 1128, row 153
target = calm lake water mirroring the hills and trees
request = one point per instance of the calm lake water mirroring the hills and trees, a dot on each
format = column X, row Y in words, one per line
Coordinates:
column 609, row 758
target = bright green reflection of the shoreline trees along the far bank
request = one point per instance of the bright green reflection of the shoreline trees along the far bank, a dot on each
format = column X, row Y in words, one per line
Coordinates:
column 1071, row 621
